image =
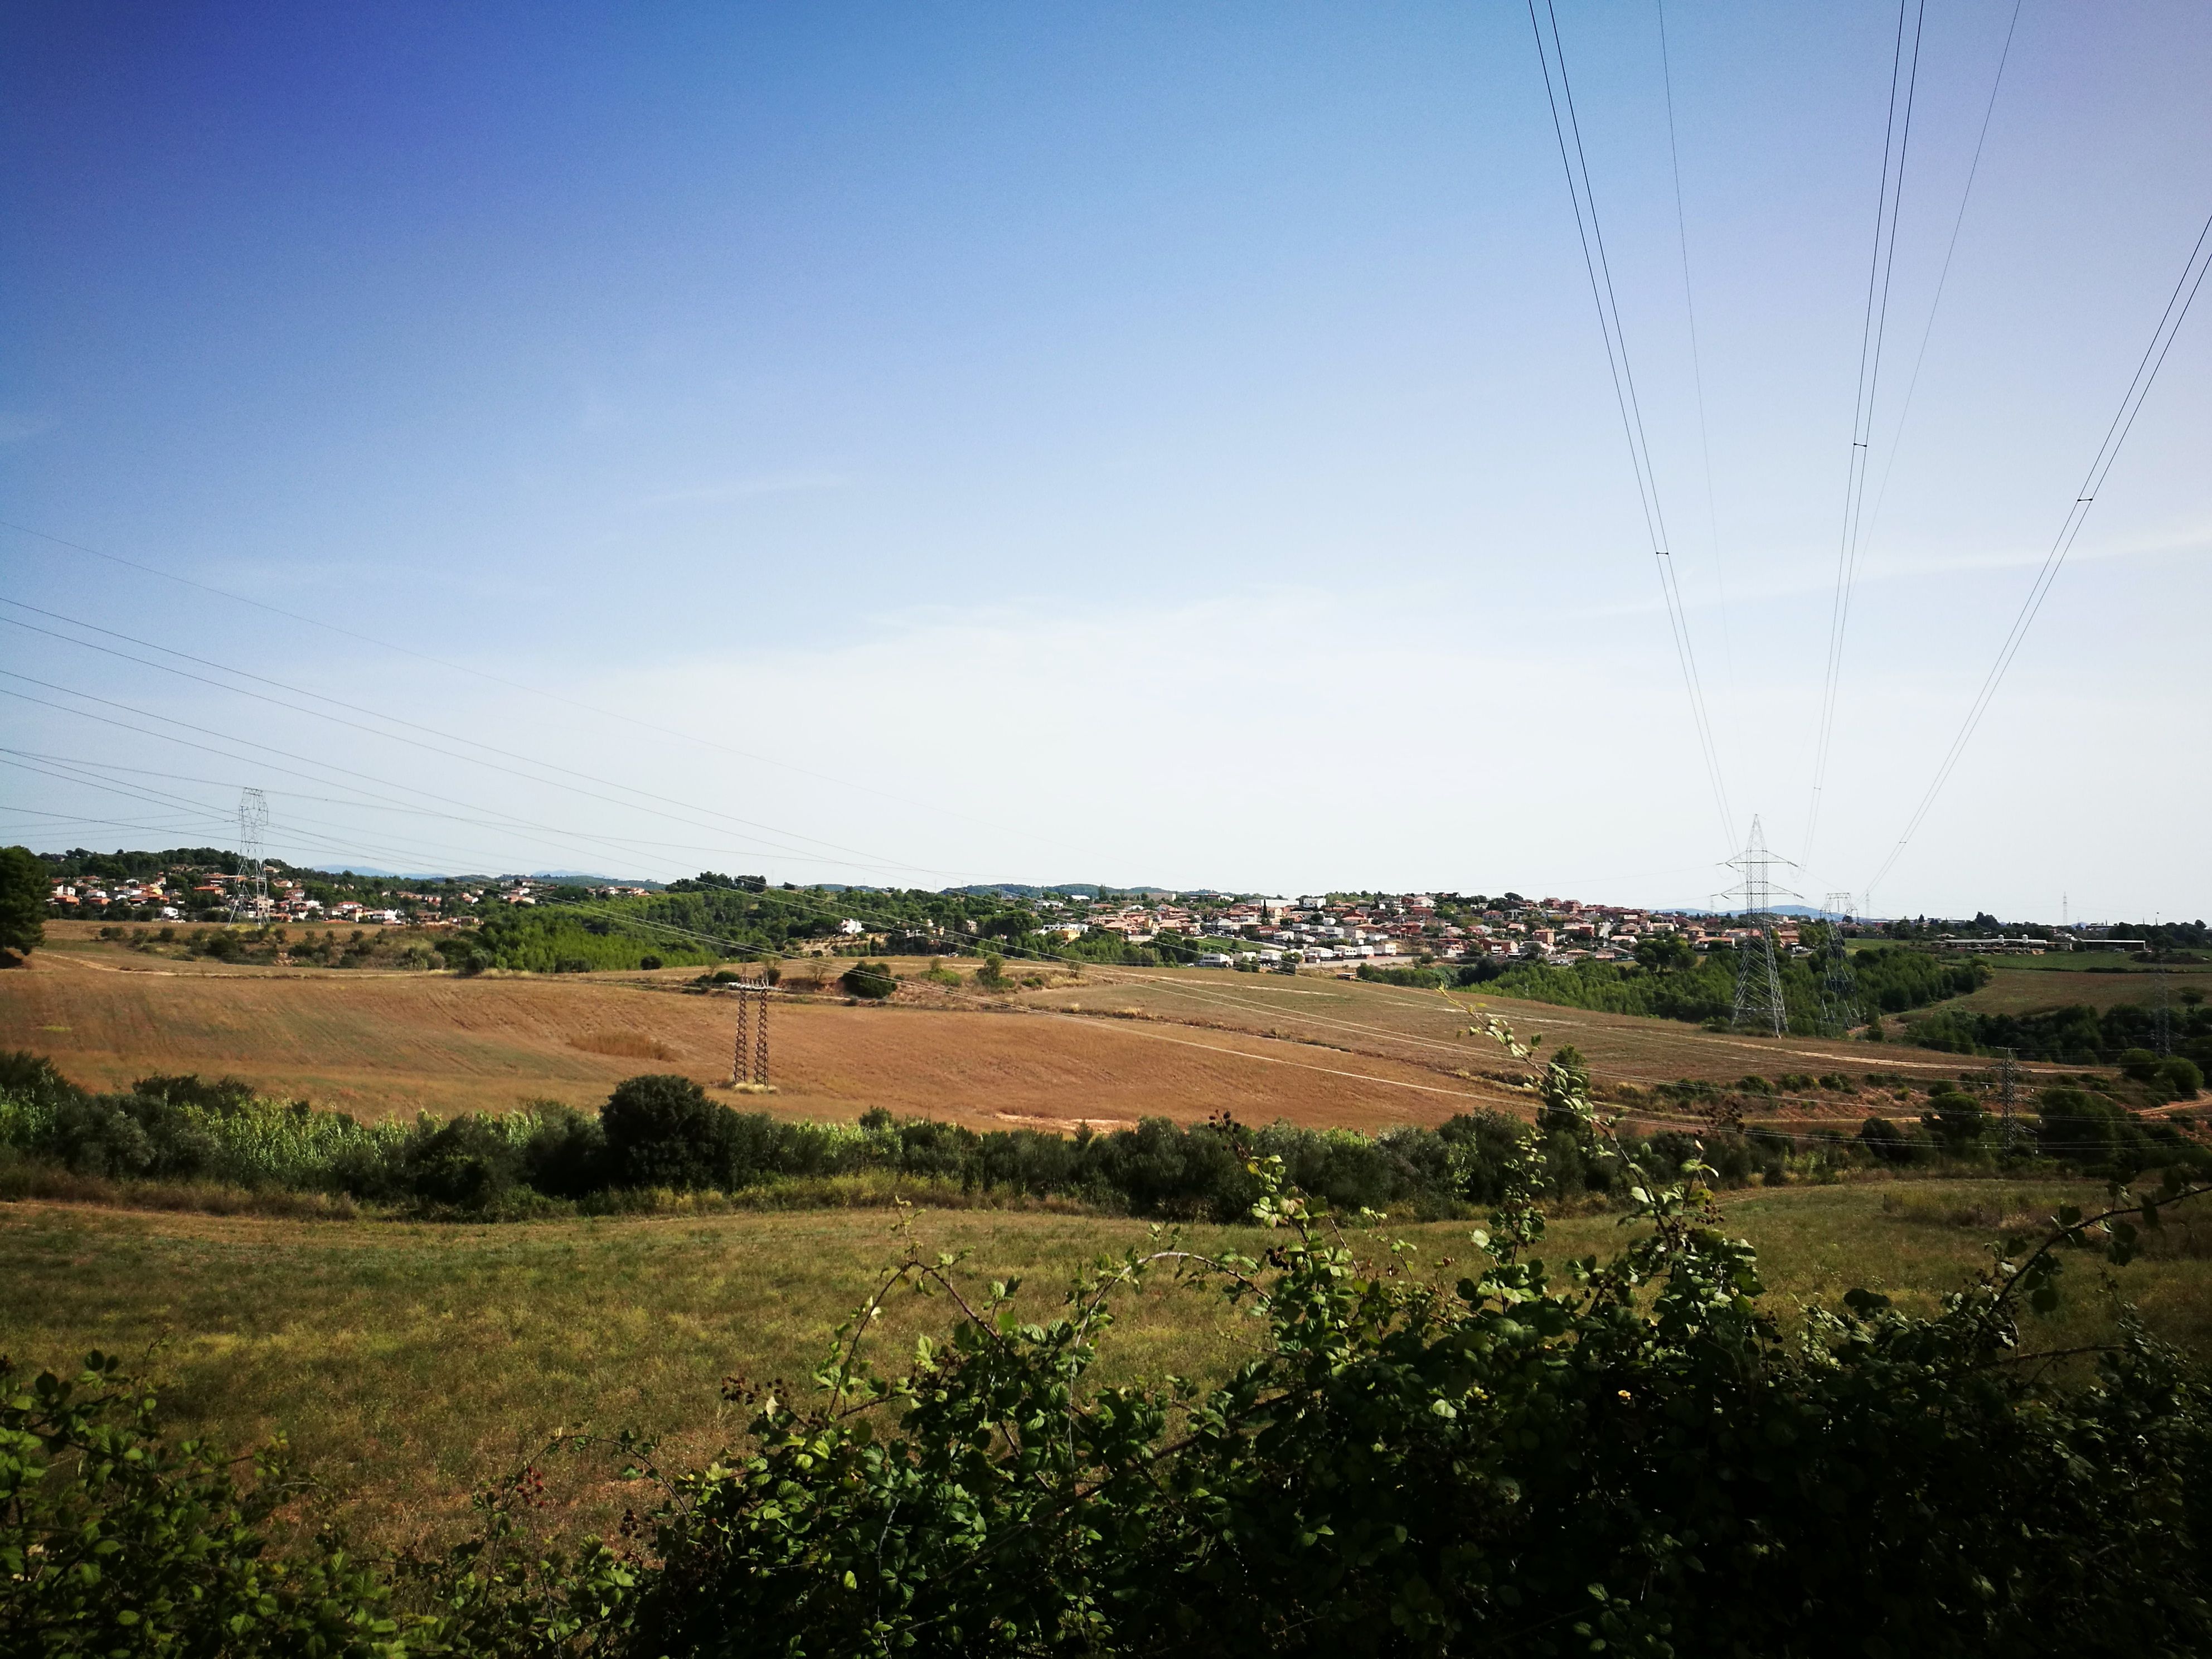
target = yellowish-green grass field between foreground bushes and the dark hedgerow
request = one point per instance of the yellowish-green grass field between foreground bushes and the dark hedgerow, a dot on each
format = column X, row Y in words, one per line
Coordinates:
column 408, row 1364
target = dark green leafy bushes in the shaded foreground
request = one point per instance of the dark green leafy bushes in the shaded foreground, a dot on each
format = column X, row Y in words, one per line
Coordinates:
column 1620, row 1452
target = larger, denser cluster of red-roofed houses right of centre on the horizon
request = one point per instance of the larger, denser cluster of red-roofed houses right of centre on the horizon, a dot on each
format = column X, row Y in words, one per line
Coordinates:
column 1430, row 928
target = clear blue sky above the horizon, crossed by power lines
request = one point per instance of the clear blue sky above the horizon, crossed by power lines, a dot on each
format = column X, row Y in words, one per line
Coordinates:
column 1096, row 444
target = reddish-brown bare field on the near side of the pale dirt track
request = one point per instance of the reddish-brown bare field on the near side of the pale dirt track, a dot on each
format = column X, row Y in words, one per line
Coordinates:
column 401, row 1043
